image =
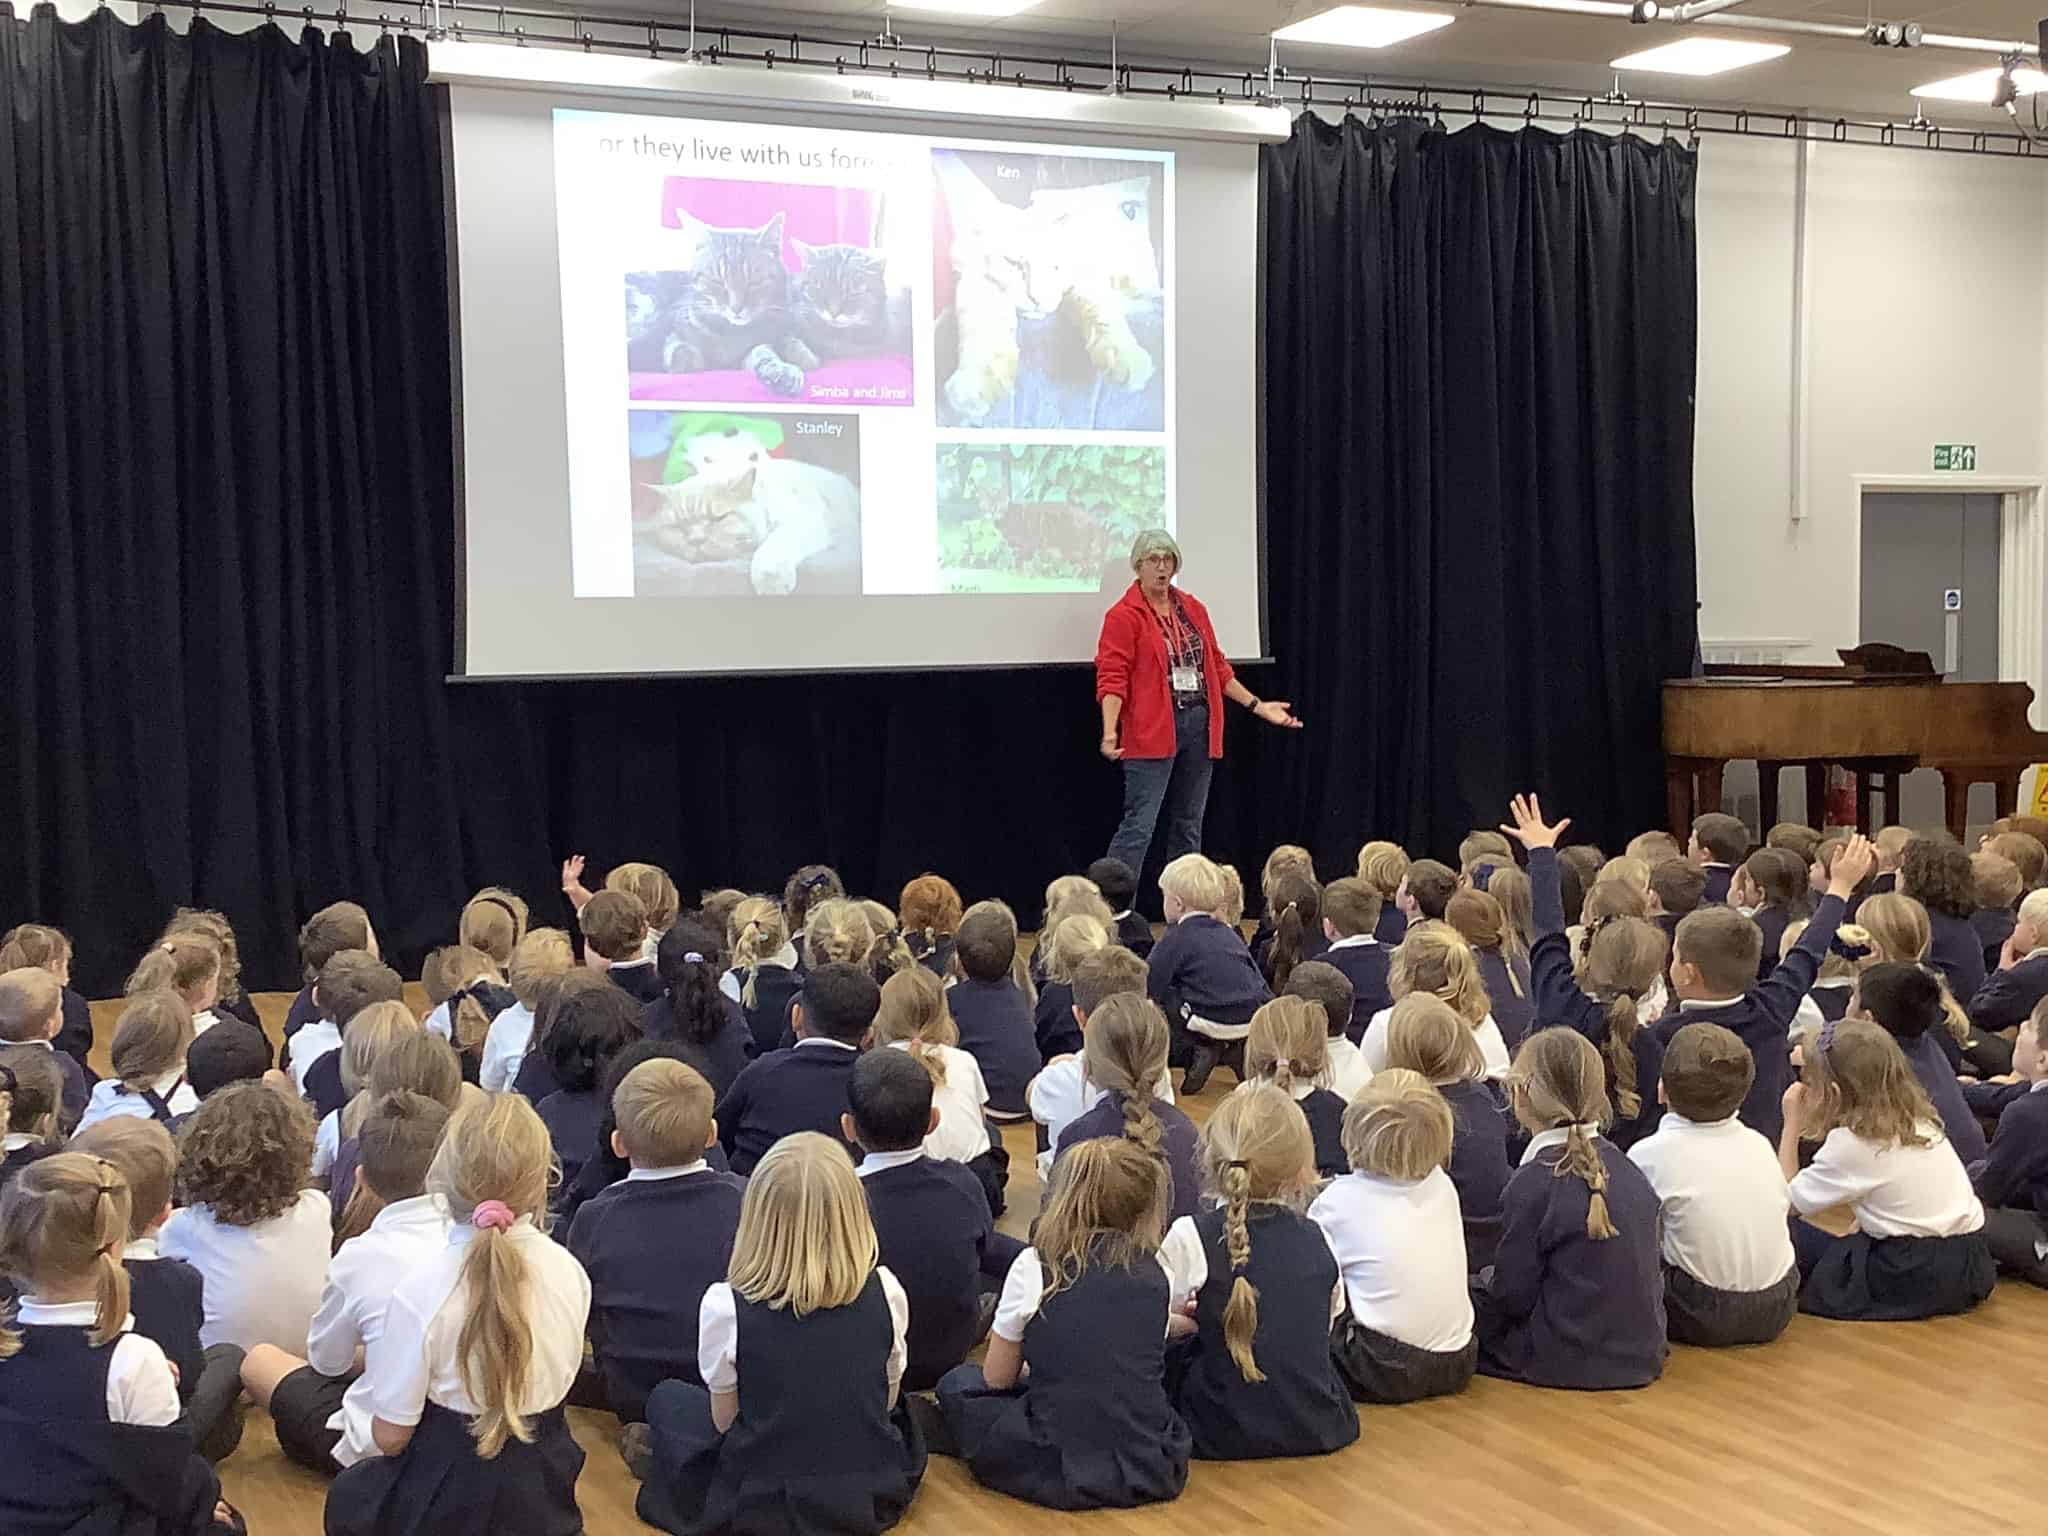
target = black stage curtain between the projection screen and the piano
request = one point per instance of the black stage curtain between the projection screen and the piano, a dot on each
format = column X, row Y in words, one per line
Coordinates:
column 1480, row 366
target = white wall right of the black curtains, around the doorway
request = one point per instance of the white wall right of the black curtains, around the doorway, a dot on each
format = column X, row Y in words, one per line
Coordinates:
column 1928, row 323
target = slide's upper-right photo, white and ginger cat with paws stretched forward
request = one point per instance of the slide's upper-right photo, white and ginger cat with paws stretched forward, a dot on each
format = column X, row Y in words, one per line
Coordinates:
column 1060, row 265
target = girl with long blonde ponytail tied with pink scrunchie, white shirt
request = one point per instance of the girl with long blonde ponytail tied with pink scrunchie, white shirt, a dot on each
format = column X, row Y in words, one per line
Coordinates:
column 478, row 1351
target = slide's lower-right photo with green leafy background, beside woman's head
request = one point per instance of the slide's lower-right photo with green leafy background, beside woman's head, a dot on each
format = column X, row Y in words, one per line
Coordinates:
column 1043, row 517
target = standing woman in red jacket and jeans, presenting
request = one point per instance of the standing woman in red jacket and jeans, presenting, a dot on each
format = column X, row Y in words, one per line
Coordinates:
column 1162, row 681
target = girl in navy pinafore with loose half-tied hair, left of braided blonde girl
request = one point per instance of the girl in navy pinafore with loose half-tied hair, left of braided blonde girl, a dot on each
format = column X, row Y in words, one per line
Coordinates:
column 1070, row 1408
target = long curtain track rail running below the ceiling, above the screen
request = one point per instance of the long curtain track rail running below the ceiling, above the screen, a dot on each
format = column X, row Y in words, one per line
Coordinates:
column 1377, row 99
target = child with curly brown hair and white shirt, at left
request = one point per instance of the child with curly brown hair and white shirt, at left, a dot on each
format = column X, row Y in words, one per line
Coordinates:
column 257, row 1236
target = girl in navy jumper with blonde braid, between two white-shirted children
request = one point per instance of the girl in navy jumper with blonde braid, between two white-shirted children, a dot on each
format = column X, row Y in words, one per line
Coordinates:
column 1576, row 1291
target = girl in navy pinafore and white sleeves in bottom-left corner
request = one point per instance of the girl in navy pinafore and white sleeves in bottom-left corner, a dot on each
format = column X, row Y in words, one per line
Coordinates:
column 91, row 1408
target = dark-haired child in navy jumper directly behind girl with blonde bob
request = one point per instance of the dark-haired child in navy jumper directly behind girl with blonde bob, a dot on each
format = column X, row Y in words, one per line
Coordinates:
column 802, row 1089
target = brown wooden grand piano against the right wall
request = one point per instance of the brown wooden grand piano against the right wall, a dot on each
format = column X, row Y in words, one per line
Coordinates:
column 1881, row 714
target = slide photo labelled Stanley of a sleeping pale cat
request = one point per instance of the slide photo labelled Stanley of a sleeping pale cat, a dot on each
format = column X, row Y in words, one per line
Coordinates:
column 732, row 505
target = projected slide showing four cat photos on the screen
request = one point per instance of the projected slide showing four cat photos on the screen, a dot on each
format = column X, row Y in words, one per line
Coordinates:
column 814, row 364
